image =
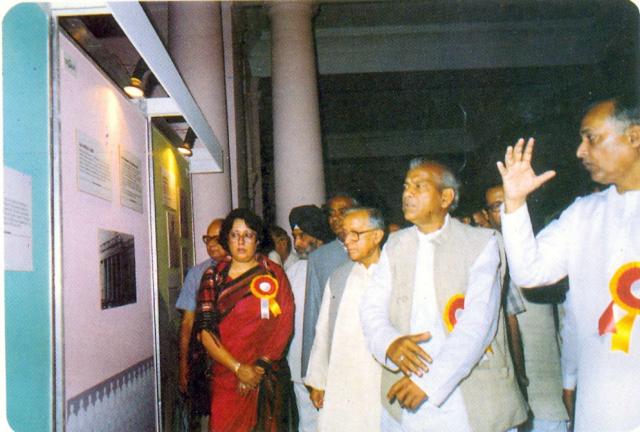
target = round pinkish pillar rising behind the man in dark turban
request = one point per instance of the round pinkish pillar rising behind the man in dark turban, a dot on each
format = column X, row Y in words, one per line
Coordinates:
column 299, row 175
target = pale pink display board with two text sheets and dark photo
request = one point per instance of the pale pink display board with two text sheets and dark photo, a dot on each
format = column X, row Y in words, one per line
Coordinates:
column 100, row 343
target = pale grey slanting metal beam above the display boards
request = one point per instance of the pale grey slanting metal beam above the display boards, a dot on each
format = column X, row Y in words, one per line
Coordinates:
column 136, row 25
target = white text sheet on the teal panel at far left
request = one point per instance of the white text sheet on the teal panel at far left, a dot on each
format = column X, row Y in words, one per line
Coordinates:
column 18, row 225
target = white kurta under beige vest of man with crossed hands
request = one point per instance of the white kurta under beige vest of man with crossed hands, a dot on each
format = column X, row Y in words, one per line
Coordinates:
column 453, row 354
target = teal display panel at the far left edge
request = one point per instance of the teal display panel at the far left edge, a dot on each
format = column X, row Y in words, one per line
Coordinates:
column 26, row 295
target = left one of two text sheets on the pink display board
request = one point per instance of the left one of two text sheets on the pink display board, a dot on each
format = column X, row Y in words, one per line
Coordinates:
column 94, row 167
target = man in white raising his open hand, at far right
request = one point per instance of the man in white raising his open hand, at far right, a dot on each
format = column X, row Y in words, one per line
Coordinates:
column 596, row 242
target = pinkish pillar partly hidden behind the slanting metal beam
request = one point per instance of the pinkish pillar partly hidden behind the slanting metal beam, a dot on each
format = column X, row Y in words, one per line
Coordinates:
column 196, row 46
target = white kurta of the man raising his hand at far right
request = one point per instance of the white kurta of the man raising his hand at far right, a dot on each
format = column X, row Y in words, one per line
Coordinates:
column 591, row 241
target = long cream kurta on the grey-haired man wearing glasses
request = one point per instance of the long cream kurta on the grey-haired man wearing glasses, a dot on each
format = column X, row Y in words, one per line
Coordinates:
column 343, row 366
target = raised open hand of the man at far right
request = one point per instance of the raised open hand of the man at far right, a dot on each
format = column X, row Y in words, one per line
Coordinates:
column 518, row 178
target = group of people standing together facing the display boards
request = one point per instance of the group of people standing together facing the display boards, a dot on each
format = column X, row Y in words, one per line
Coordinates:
column 354, row 326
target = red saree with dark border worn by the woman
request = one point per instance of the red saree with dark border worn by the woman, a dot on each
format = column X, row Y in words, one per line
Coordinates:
column 248, row 334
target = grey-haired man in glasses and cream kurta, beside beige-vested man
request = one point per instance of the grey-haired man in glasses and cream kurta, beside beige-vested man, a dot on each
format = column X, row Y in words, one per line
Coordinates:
column 344, row 377
